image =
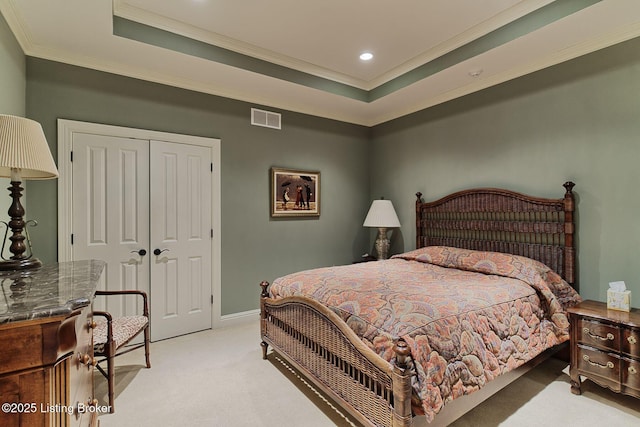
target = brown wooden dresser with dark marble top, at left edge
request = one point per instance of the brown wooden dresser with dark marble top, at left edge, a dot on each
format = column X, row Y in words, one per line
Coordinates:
column 46, row 345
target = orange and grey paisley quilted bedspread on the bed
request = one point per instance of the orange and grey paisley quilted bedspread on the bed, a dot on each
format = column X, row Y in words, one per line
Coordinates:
column 468, row 316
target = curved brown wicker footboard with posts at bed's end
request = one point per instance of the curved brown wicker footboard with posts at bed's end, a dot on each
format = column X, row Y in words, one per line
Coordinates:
column 319, row 343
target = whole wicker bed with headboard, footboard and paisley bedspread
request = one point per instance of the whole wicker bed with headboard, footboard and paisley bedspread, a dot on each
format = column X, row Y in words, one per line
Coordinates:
column 480, row 298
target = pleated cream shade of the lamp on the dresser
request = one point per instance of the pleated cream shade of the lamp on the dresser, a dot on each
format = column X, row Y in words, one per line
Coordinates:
column 24, row 149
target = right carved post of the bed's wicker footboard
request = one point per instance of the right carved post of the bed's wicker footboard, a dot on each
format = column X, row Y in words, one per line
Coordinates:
column 401, row 385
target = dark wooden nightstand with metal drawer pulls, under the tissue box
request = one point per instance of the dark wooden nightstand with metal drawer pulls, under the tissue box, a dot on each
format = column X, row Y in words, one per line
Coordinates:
column 605, row 347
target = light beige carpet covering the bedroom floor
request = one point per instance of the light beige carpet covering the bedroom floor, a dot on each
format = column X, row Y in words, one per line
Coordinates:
column 218, row 378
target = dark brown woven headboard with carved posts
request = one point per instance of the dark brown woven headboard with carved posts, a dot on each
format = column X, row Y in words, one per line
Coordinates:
column 490, row 219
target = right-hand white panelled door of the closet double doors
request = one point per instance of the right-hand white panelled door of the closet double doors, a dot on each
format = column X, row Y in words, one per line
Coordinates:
column 181, row 240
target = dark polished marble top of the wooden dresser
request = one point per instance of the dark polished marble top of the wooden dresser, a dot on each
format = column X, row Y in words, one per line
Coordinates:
column 51, row 290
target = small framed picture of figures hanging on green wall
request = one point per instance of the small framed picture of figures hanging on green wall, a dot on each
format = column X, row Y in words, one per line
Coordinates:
column 295, row 193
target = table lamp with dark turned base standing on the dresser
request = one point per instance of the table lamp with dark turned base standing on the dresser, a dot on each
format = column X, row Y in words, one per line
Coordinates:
column 24, row 154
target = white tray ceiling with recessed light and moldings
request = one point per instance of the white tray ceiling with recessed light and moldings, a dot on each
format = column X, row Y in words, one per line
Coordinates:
column 323, row 41
